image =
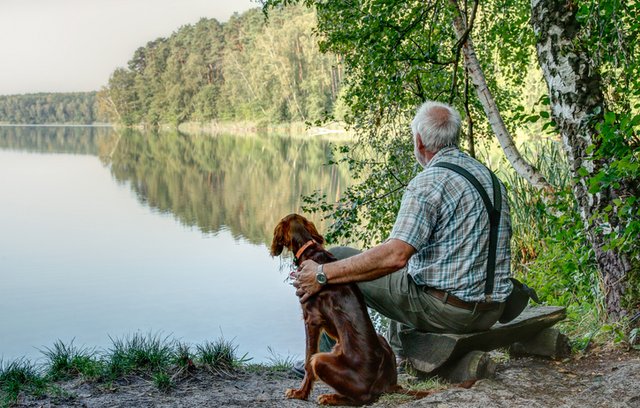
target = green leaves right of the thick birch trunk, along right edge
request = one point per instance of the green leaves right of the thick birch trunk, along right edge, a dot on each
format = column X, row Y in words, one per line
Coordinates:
column 610, row 30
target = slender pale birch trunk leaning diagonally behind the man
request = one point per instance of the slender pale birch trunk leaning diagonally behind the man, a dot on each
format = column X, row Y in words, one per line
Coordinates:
column 525, row 169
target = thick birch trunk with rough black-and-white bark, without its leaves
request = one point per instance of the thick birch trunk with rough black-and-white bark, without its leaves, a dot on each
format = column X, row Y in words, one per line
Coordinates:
column 577, row 104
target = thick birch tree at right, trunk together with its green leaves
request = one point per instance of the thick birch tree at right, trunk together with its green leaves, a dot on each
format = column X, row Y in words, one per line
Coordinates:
column 580, row 109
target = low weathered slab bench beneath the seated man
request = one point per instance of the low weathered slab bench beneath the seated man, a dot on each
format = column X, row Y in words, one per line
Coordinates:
column 461, row 357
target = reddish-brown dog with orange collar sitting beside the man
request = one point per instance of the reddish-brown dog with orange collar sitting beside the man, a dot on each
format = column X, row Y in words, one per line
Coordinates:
column 361, row 365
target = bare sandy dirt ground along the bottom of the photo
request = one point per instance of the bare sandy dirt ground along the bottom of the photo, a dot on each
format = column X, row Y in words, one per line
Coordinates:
column 610, row 379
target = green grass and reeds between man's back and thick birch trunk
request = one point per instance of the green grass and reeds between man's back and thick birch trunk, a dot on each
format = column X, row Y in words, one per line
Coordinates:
column 549, row 248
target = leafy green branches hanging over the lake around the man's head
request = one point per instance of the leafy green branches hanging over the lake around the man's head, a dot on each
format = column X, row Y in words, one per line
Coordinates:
column 396, row 55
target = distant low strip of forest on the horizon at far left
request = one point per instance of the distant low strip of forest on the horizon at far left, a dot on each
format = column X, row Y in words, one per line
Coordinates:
column 43, row 108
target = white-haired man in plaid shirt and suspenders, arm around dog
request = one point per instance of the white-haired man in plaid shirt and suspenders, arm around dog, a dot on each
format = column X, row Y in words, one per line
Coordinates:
column 430, row 274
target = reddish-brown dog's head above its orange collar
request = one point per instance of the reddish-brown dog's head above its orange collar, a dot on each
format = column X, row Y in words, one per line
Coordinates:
column 292, row 232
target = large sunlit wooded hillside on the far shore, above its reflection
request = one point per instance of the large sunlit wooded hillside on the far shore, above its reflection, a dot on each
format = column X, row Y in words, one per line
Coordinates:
column 247, row 69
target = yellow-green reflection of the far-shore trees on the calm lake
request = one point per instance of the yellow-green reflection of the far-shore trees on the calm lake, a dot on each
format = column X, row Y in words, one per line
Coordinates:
column 243, row 184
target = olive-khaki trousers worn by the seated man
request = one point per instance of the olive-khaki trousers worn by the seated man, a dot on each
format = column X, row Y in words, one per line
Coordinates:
column 409, row 306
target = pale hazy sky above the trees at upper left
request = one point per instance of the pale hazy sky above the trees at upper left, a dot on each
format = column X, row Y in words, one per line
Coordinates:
column 75, row 45
